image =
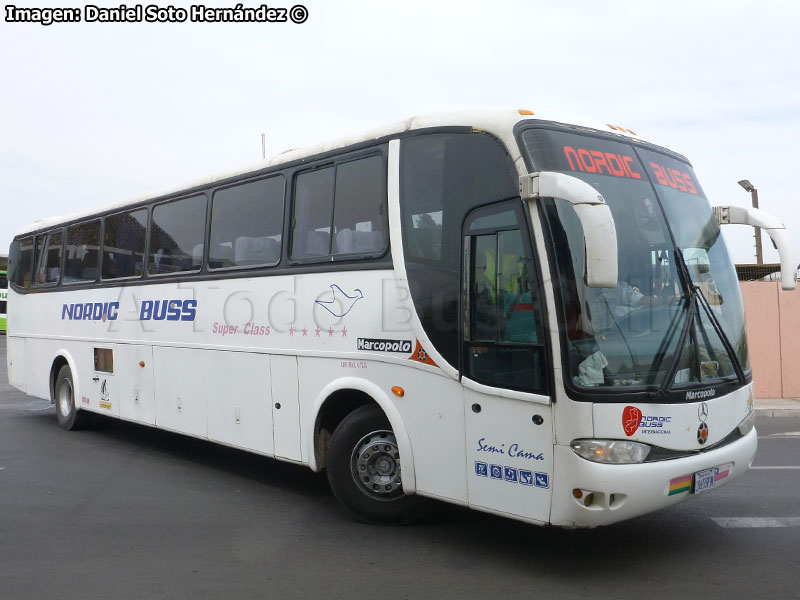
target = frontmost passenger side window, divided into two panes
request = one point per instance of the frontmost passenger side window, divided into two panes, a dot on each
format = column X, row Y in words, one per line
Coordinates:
column 339, row 210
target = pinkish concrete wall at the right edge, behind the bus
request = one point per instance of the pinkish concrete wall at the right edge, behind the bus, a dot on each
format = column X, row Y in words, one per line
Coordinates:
column 773, row 335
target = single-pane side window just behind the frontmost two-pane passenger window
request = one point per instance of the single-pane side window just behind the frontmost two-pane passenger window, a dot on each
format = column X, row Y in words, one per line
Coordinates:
column 247, row 224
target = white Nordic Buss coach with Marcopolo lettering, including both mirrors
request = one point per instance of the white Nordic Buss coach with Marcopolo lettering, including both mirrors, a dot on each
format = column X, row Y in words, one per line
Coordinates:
column 501, row 310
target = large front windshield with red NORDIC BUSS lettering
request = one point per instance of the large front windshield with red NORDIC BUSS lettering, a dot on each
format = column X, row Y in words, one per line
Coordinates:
column 663, row 326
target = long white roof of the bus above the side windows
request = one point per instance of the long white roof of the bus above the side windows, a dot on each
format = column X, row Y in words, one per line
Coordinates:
column 499, row 122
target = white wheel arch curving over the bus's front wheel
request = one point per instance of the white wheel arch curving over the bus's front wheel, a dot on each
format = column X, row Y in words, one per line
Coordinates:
column 338, row 399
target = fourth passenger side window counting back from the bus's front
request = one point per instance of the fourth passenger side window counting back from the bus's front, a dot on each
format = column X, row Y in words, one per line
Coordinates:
column 123, row 244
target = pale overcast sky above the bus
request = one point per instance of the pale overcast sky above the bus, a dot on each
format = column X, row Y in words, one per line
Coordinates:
column 94, row 113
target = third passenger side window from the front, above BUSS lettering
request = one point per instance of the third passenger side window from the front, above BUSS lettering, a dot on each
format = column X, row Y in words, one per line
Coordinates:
column 177, row 236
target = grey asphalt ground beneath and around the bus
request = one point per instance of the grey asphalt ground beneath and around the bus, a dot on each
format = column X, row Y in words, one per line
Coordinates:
column 129, row 512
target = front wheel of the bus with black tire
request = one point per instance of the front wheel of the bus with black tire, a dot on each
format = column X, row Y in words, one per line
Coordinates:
column 364, row 470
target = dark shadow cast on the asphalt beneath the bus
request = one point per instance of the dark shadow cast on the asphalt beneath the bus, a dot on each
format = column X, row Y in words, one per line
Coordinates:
column 465, row 535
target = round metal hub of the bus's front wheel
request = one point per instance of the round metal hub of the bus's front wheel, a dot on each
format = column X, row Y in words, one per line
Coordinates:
column 376, row 465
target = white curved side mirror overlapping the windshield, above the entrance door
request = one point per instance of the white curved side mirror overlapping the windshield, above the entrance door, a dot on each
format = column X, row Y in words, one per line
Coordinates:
column 599, row 232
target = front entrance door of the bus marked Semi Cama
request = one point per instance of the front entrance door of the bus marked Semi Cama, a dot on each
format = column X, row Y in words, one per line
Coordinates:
column 508, row 416
